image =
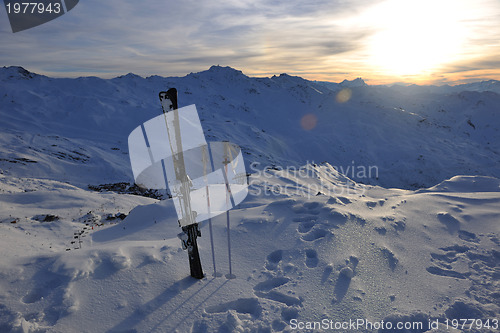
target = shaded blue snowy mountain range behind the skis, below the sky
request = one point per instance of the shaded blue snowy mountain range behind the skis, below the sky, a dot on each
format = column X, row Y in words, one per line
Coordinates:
column 76, row 130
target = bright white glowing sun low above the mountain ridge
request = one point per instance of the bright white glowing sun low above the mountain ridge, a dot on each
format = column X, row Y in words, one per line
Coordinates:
column 416, row 37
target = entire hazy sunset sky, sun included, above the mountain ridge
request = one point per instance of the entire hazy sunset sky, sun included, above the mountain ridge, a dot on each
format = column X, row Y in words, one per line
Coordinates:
column 382, row 41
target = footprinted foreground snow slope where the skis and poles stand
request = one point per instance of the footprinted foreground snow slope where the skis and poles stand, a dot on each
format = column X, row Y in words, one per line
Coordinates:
column 363, row 253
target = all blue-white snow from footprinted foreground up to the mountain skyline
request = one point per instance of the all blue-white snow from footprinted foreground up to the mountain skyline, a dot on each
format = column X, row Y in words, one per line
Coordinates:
column 314, row 239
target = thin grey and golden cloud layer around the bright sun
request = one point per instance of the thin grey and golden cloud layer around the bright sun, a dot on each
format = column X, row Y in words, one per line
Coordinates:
column 110, row 38
